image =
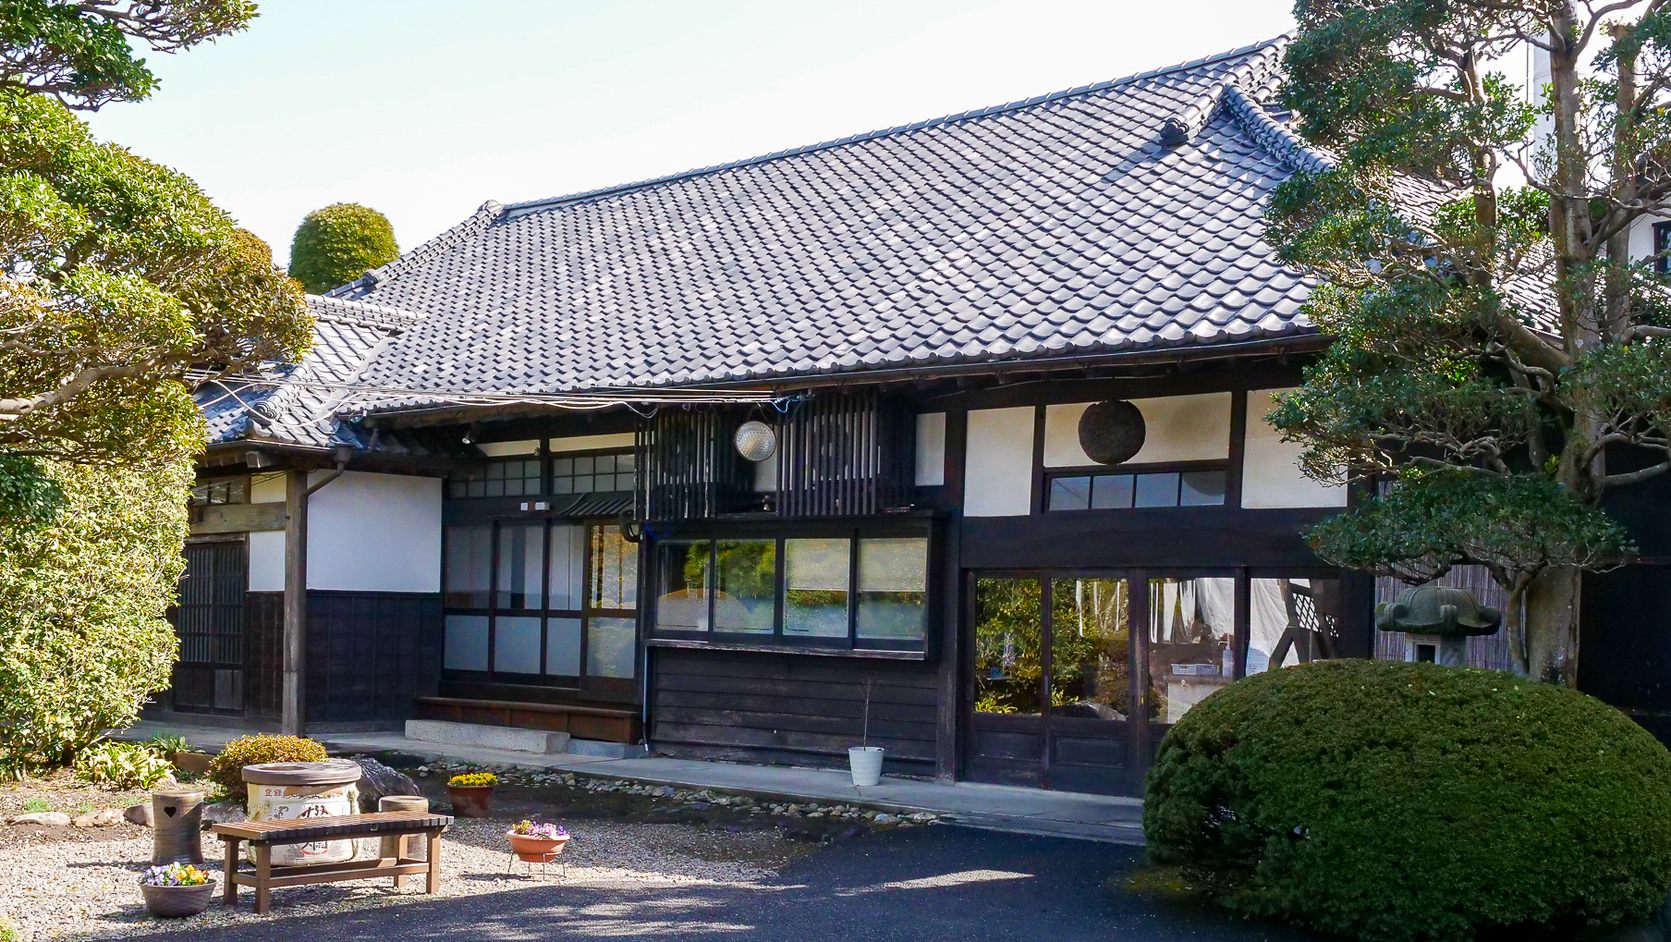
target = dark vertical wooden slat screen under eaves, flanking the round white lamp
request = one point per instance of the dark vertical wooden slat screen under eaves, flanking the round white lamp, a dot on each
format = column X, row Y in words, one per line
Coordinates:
column 836, row 457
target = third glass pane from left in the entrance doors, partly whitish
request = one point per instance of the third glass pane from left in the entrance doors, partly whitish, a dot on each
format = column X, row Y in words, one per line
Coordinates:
column 1192, row 627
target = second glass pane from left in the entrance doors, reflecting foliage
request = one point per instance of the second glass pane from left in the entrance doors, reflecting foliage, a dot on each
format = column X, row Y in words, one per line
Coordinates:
column 1090, row 649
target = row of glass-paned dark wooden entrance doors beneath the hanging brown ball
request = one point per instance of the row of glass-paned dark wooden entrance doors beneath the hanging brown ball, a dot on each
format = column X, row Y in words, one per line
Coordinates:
column 1077, row 677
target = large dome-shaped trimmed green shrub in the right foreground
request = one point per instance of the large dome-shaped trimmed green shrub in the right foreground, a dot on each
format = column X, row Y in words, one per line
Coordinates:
column 1415, row 803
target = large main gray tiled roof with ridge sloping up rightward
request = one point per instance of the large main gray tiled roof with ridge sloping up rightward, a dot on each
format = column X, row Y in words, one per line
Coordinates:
column 1065, row 225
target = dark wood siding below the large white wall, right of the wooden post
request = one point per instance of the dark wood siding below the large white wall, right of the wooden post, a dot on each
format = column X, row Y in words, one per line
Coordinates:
column 370, row 656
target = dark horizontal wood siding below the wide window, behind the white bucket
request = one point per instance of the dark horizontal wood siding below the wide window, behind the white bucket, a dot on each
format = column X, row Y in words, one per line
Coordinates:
column 791, row 709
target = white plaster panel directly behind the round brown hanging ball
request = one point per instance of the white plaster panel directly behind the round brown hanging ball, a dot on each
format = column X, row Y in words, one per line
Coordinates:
column 1177, row 428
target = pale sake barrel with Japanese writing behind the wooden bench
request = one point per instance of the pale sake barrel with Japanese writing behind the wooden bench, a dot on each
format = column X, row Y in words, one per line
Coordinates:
column 283, row 791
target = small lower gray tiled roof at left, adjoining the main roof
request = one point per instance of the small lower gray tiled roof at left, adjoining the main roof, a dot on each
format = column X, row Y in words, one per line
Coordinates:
column 297, row 403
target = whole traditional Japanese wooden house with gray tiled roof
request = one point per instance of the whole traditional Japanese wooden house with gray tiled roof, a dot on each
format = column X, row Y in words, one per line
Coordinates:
column 952, row 432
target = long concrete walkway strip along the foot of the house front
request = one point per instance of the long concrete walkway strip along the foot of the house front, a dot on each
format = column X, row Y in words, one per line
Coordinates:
column 990, row 808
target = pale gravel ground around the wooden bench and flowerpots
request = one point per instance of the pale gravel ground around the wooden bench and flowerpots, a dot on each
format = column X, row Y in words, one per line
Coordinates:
column 84, row 883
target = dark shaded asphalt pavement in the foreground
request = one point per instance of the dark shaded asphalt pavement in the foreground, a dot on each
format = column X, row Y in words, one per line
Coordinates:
column 943, row 884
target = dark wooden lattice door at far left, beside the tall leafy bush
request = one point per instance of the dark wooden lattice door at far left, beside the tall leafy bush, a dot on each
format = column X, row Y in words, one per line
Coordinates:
column 210, row 622
